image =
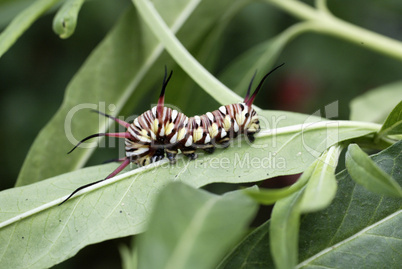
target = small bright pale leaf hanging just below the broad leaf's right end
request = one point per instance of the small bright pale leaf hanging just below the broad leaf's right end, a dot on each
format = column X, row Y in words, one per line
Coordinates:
column 321, row 187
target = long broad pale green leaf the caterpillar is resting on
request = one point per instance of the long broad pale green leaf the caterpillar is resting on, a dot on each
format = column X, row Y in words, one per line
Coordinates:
column 120, row 206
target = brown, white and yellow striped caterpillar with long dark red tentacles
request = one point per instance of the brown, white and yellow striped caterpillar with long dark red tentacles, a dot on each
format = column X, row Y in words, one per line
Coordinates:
column 162, row 130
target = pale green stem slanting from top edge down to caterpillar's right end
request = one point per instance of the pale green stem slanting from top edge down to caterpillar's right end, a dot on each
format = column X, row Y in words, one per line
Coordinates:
column 193, row 68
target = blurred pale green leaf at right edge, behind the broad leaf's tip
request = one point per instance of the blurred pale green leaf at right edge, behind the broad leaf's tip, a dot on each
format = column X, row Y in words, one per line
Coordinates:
column 383, row 99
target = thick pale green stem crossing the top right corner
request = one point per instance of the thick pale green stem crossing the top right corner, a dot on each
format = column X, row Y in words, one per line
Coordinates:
column 328, row 24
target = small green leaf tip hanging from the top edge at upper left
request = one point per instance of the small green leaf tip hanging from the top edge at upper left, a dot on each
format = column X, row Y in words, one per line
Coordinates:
column 65, row 21
